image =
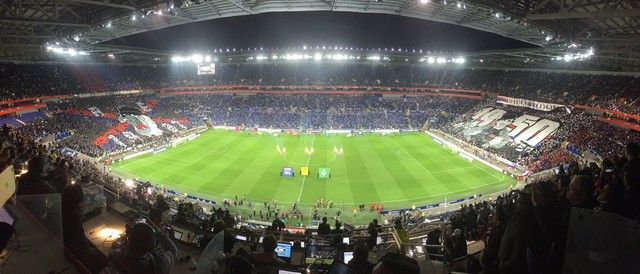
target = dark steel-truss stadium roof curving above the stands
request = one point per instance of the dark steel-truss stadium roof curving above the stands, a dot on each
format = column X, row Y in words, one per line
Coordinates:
column 612, row 28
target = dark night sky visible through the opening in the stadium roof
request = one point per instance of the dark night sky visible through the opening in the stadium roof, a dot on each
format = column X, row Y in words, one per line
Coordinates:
column 290, row 29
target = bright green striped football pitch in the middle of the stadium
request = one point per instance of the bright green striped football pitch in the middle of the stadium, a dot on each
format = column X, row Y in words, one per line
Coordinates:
column 398, row 170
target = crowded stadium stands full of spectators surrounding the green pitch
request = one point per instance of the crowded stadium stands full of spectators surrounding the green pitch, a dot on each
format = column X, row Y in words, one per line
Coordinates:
column 520, row 231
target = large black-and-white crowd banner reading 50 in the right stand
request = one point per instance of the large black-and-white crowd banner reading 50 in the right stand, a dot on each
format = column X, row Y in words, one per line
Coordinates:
column 502, row 130
